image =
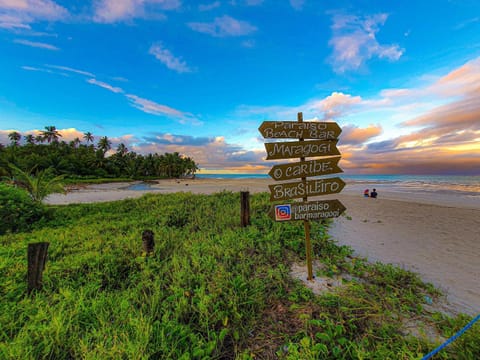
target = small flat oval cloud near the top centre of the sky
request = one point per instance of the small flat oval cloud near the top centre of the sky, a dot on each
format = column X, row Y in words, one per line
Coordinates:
column 224, row 26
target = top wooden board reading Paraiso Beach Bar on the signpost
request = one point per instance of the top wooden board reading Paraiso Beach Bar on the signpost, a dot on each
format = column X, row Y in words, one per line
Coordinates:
column 300, row 130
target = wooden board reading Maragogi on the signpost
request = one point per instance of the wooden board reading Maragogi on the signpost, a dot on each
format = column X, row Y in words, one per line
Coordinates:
column 297, row 149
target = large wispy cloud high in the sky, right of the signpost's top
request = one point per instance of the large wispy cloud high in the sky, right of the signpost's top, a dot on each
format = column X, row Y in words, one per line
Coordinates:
column 354, row 42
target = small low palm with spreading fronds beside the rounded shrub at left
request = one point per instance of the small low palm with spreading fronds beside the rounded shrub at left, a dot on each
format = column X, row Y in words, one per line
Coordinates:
column 40, row 185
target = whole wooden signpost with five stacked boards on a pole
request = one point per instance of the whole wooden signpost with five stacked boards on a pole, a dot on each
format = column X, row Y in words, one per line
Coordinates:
column 323, row 140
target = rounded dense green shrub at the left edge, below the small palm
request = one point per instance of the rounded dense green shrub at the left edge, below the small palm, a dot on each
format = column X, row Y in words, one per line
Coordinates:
column 17, row 209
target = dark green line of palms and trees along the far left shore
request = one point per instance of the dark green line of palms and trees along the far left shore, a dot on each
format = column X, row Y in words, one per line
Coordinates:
column 82, row 158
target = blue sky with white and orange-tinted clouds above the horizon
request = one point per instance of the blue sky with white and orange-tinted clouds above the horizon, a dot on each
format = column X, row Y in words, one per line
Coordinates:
column 199, row 77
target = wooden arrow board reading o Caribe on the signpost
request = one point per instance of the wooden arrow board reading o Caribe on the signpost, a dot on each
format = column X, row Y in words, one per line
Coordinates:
column 324, row 166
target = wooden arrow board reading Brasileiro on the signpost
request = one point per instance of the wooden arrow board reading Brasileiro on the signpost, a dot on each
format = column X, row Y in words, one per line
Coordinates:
column 302, row 189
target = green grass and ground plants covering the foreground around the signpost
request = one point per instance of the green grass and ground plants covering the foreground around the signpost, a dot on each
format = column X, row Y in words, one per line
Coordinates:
column 211, row 290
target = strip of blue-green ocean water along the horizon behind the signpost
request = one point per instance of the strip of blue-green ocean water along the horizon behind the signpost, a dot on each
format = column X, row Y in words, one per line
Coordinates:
column 467, row 185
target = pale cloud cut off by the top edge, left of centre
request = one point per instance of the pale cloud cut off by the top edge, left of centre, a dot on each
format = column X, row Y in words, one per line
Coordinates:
column 110, row 11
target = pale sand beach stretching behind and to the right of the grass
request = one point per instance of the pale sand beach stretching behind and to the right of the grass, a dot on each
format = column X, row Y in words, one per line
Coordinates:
column 434, row 234
